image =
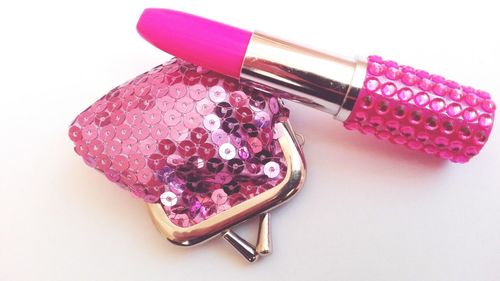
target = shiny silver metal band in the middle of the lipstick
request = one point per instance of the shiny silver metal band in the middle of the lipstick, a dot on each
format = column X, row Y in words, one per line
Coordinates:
column 327, row 82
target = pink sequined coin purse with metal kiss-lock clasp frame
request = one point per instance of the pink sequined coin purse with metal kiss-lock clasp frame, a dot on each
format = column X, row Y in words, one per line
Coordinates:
column 203, row 151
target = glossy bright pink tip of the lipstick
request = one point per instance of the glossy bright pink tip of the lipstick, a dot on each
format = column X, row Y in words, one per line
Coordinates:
column 218, row 46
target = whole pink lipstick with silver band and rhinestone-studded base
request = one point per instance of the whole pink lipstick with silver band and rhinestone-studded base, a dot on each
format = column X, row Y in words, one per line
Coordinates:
column 394, row 102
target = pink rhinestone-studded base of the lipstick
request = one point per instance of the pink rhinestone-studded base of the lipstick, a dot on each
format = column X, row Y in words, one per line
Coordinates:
column 422, row 111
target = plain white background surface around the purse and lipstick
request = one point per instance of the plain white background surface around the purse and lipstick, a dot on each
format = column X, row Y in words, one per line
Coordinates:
column 369, row 210
